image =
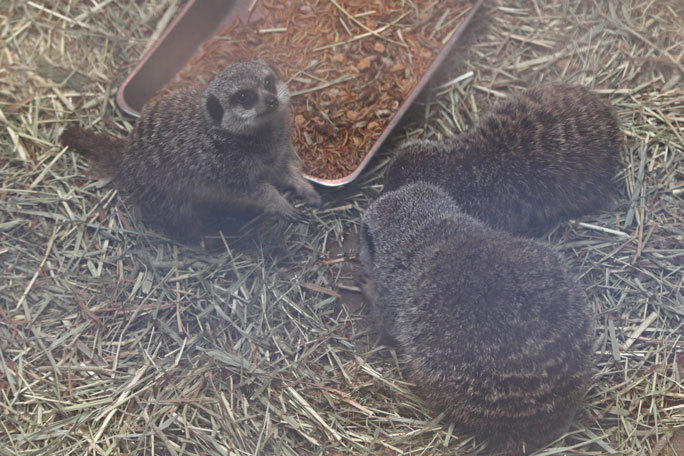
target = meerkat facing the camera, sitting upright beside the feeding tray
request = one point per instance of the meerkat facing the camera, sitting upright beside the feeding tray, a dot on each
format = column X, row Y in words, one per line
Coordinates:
column 197, row 150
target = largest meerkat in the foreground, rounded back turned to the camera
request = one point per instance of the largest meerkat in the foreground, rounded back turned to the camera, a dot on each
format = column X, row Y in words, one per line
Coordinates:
column 491, row 327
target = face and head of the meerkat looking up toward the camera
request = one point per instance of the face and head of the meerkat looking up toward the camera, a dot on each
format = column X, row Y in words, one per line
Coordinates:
column 245, row 96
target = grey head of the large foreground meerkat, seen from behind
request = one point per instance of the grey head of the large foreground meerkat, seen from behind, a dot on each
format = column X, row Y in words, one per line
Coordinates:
column 394, row 221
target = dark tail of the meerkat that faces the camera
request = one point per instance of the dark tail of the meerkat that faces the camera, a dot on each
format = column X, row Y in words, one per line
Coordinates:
column 103, row 152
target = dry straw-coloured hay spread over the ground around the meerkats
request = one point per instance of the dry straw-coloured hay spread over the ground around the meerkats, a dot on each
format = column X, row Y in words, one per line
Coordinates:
column 115, row 341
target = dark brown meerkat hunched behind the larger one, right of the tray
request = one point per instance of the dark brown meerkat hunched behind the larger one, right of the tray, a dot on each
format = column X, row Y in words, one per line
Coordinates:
column 542, row 156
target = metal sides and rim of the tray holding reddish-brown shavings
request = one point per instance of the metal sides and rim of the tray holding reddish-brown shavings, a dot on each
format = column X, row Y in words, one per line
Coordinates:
column 197, row 22
